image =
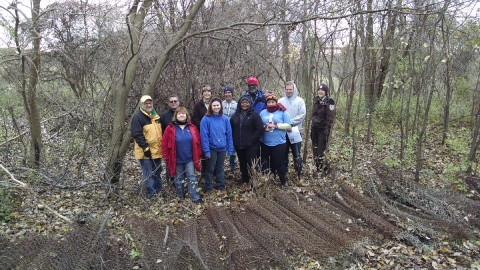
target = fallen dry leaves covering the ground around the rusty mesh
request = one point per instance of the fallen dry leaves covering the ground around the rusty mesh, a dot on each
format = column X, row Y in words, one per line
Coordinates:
column 82, row 200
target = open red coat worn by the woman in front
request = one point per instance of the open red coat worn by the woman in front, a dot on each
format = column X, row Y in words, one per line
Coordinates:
column 169, row 147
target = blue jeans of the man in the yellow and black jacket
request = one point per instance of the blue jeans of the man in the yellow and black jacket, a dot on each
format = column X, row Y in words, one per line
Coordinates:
column 151, row 173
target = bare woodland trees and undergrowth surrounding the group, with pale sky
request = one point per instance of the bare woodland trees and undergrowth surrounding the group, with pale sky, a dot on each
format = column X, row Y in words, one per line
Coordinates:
column 404, row 74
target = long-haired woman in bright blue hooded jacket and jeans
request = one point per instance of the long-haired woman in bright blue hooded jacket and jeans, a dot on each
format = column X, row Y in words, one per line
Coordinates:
column 216, row 137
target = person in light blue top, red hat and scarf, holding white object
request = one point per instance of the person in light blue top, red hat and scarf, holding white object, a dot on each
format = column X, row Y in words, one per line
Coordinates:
column 273, row 143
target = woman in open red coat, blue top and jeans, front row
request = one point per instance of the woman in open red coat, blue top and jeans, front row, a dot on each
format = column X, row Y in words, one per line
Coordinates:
column 182, row 151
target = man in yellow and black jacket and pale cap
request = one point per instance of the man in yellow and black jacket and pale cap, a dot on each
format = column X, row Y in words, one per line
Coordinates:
column 147, row 133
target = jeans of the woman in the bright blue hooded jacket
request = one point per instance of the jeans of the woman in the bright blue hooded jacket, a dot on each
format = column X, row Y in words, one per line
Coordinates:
column 215, row 164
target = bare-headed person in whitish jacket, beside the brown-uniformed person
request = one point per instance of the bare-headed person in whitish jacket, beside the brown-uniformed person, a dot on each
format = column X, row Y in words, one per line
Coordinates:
column 295, row 106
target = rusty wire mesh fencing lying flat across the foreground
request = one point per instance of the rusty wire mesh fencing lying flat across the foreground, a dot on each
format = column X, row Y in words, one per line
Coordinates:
column 277, row 232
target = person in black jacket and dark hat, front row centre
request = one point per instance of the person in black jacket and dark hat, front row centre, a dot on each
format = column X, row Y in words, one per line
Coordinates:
column 247, row 128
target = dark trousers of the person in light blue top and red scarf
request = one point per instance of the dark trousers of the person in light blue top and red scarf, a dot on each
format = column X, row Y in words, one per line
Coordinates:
column 272, row 158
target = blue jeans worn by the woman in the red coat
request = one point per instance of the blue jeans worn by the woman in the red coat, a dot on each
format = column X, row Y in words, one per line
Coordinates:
column 186, row 170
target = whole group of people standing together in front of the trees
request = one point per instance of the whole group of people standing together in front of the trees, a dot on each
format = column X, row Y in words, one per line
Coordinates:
column 260, row 130
